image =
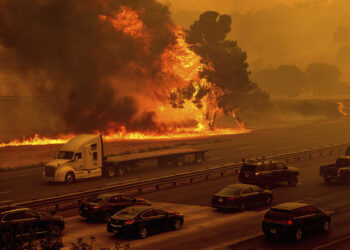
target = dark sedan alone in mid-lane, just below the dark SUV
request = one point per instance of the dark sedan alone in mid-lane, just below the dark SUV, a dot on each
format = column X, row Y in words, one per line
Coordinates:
column 241, row 196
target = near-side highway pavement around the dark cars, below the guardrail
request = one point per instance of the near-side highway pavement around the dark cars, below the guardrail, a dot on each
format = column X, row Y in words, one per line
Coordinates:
column 207, row 228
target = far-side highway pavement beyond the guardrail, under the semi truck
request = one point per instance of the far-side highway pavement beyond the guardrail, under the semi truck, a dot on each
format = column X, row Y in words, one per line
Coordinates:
column 26, row 184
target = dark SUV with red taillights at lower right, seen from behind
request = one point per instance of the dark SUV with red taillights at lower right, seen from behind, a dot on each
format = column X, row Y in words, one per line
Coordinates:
column 293, row 219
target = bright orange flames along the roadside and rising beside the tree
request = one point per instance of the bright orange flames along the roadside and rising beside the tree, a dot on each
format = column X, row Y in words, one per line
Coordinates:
column 183, row 65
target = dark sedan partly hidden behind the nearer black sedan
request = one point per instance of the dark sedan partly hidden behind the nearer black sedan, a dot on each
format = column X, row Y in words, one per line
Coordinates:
column 103, row 206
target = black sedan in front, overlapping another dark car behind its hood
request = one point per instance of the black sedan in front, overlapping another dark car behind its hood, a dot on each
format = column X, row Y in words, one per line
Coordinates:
column 141, row 221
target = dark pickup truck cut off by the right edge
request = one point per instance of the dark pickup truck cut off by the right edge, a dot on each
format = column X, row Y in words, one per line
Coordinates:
column 338, row 171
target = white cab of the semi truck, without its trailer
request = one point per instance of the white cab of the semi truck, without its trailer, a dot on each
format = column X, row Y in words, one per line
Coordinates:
column 80, row 158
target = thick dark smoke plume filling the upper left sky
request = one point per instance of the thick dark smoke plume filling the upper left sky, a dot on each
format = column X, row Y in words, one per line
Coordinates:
column 70, row 53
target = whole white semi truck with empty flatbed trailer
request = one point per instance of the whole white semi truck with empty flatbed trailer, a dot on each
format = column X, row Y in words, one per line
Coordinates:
column 83, row 157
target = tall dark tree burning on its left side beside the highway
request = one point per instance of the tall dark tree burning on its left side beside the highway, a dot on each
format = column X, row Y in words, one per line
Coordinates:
column 224, row 71
